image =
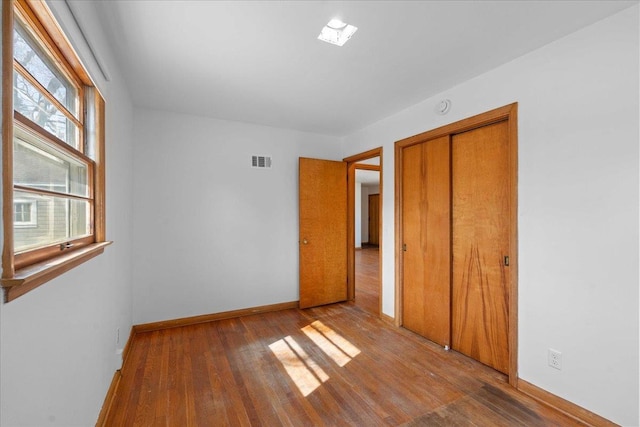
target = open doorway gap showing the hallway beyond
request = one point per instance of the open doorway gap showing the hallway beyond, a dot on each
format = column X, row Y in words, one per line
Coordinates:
column 367, row 235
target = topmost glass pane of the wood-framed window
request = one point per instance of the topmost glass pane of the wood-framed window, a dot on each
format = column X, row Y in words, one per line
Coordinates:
column 30, row 56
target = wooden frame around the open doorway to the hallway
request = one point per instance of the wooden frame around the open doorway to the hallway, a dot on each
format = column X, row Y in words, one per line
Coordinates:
column 352, row 165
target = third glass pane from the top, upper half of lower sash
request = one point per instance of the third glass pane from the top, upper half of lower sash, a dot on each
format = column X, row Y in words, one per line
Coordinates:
column 40, row 166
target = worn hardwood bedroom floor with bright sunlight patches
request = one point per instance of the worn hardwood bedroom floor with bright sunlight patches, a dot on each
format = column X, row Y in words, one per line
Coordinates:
column 335, row 365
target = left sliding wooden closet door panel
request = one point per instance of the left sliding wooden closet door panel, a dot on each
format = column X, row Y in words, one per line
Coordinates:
column 426, row 239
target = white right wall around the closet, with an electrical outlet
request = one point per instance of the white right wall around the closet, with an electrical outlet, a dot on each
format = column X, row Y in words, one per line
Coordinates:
column 578, row 206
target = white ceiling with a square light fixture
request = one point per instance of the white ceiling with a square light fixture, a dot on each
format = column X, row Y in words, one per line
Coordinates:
column 261, row 62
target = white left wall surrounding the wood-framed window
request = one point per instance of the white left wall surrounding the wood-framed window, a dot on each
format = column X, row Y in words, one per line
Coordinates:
column 58, row 342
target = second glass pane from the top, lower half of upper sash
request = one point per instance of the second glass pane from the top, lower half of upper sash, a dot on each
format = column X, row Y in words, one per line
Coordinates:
column 31, row 103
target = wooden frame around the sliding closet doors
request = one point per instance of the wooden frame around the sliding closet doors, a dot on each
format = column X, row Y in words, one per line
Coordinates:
column 508, row 113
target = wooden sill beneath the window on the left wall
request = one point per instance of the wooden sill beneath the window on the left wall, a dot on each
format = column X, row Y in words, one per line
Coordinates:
column 37, row 274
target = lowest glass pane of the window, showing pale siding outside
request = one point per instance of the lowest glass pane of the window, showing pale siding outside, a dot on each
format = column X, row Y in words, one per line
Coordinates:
column 58, row 220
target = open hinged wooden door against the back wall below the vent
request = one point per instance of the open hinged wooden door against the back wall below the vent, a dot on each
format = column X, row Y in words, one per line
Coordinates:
column 323, row 232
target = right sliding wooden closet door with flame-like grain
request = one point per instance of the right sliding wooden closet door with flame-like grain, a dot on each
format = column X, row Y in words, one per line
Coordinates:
column 480, row 234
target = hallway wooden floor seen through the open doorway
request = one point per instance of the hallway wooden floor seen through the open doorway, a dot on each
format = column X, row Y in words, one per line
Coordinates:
column 368, row 279
